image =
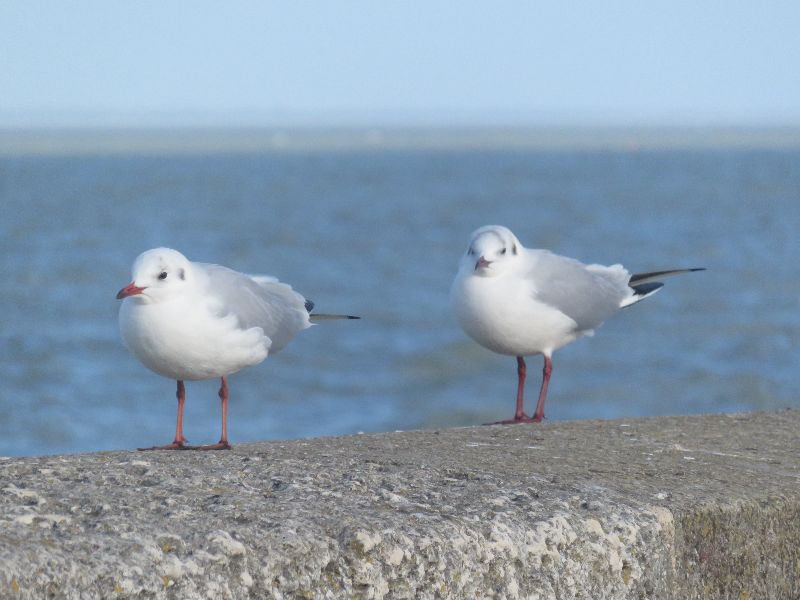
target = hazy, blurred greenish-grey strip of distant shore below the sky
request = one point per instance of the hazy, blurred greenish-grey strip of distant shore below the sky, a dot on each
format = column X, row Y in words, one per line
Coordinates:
column 225, row 140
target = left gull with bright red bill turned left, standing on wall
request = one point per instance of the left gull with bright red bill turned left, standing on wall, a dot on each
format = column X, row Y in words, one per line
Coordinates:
column 190, row 321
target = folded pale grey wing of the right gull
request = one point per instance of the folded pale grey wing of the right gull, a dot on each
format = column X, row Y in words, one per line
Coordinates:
column 588, row 294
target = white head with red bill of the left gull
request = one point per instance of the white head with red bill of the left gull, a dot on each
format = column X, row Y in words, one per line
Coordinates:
column 158, row 274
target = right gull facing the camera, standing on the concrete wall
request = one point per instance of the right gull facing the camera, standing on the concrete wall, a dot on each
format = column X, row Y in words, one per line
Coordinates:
column 521, row 302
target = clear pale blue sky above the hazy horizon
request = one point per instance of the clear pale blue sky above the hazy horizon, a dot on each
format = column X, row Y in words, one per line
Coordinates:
column 424, row 62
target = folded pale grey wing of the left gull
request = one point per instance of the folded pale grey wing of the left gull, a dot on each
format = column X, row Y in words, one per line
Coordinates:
column 259, row 301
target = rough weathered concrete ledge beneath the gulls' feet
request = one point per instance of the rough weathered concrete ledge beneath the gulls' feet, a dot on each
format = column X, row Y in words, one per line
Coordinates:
column 690, row 507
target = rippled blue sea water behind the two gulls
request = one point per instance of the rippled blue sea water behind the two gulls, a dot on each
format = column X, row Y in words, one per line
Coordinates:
column 378, row 232
